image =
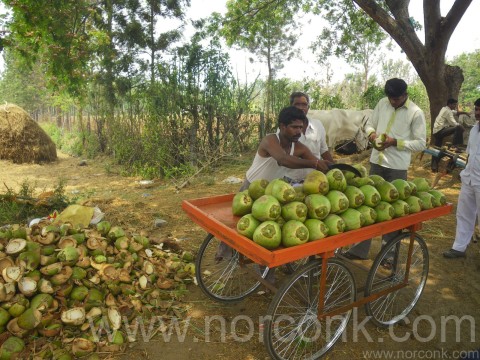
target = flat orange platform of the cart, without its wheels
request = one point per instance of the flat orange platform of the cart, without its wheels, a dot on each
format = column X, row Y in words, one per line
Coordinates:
column 214, row 215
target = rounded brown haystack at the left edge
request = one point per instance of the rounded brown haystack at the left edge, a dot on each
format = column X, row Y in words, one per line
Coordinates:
column 22, row 140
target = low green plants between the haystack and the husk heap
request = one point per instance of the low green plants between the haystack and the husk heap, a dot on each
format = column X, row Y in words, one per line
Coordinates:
column 19, row 207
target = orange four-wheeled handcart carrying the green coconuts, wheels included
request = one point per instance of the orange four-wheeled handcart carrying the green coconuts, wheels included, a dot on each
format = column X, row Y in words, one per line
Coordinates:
column 311, row 308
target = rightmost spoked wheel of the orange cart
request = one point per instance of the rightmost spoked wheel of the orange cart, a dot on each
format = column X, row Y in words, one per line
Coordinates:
column 393, row 307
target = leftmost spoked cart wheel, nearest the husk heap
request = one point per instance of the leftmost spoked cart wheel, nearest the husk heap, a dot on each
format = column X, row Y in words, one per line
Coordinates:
column 225, row 279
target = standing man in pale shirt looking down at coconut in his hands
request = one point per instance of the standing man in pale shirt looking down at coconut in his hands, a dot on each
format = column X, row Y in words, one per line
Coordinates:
column 404, row 125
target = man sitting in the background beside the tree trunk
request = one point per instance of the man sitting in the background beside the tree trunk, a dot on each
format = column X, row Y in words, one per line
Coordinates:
column 445, row 125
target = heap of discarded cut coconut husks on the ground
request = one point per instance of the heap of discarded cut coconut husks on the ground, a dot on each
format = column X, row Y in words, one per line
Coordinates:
column 67, row 283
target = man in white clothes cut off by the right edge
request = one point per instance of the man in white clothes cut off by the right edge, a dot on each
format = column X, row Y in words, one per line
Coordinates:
column 468, row 206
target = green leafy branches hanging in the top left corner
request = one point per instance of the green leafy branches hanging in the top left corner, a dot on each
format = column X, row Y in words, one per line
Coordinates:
column 55, row 32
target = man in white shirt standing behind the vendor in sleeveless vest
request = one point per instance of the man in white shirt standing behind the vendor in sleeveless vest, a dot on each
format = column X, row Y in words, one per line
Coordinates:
column 313, row 136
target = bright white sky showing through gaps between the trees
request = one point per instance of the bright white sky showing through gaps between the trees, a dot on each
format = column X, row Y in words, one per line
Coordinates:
column 466, row 38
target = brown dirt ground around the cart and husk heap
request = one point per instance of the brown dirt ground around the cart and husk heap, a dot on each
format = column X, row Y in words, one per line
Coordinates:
column 452, row 287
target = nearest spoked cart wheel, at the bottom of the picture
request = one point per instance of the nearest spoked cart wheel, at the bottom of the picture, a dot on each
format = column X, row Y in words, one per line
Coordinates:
column 292, row 329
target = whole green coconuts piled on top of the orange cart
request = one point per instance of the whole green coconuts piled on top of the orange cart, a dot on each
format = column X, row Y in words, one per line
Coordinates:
column 275, row 213
